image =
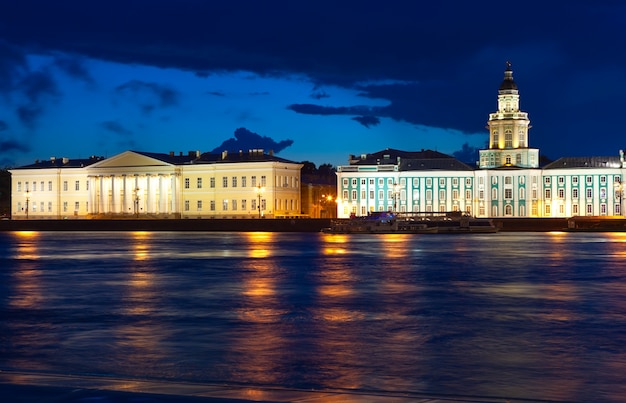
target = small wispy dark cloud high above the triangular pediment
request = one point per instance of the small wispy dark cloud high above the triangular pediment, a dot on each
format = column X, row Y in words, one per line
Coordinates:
column 148, row 95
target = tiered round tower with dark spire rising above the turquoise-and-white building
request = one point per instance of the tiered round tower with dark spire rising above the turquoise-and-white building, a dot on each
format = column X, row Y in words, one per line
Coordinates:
column 508, row 131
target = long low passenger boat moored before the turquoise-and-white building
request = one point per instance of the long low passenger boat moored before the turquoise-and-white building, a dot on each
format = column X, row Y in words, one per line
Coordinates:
column 452, row 222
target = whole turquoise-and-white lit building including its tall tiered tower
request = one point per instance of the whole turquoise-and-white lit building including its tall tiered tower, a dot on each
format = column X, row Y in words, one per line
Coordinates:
column 507, row 181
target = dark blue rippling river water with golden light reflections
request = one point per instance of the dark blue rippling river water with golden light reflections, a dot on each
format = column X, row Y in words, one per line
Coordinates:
column 526, row 315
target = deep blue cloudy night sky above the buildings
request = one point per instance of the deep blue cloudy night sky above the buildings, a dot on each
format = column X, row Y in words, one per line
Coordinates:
column 310, row 80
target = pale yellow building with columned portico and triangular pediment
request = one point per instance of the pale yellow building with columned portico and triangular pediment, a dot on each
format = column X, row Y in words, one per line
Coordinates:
column 151, row 185
